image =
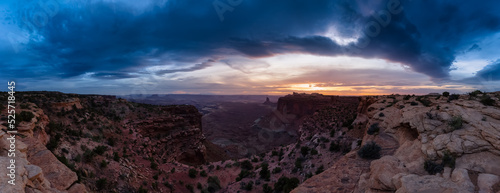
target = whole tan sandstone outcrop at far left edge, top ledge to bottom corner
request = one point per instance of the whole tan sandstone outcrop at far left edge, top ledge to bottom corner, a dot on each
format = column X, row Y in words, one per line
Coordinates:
column 37, row 169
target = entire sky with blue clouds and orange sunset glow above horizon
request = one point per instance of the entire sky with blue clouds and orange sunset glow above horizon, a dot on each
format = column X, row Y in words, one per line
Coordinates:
column 339, row 47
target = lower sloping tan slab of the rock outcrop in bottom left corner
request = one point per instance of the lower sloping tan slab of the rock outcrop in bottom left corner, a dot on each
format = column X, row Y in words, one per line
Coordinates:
column 41, row 172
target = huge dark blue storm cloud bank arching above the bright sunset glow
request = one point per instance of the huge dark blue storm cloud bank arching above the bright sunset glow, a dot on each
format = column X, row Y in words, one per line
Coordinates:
column 112, row 37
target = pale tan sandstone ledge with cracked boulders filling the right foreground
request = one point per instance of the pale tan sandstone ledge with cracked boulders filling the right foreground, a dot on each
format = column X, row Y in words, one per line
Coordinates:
column 414, row 130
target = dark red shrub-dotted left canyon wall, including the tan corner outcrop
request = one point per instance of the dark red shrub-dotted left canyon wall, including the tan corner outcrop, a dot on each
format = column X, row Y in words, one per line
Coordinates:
column 81, row 143
